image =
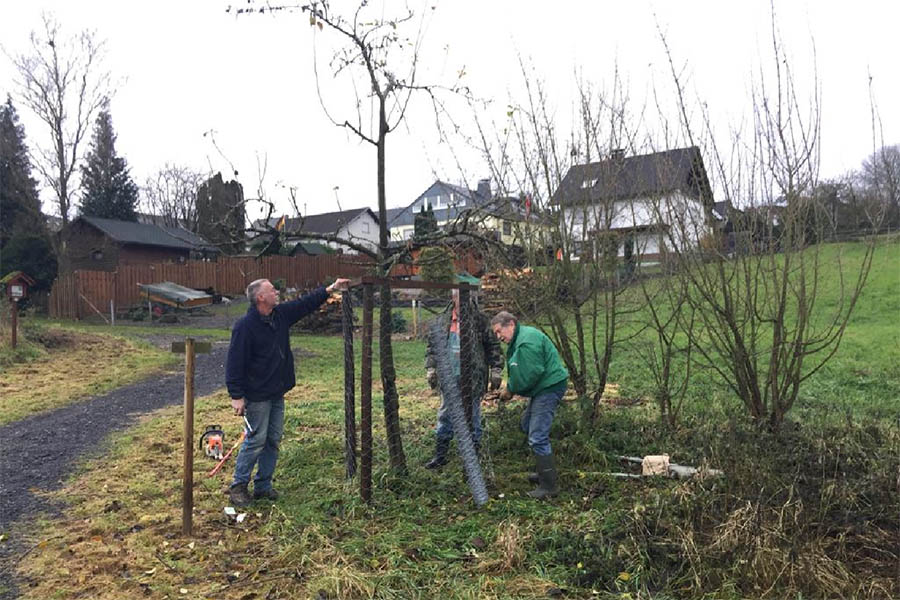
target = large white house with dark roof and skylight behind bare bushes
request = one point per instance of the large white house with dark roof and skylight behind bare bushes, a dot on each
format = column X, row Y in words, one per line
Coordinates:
column 646, row 205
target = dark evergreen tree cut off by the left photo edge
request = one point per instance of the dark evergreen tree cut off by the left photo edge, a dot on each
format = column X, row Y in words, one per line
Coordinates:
column 20, row 206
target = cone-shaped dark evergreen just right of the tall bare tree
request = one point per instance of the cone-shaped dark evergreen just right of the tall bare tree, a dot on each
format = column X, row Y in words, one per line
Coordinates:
column 109, row 191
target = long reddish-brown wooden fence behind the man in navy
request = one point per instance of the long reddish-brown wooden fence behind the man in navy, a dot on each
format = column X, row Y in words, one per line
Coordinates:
column 85, row 293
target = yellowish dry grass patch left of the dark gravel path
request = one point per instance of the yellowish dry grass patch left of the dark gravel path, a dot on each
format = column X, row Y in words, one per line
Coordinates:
column 75, row 364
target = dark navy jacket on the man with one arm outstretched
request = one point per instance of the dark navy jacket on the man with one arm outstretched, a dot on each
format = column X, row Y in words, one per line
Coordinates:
column 260, row 364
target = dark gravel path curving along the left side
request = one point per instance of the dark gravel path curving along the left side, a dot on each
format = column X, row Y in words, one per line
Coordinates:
column 40, row 451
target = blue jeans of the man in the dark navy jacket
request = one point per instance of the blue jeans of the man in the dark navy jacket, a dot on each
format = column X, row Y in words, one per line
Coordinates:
column 260, row 448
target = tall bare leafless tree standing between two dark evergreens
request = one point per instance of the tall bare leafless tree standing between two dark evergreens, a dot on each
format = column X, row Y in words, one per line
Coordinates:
column 63, row 82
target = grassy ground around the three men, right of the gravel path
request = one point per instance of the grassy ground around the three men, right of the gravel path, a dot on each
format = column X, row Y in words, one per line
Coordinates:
column 810, row 512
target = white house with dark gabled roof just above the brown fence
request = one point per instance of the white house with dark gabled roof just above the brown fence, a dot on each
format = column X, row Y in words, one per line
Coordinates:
column 358, row 225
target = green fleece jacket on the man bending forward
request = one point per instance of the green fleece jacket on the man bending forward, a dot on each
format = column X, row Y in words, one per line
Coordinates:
column 533, row 364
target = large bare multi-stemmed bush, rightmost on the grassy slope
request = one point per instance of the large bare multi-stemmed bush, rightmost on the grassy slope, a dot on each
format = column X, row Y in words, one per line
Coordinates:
column 764, row 327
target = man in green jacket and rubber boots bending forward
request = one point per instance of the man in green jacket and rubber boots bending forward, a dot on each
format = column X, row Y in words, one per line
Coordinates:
column 535, row 370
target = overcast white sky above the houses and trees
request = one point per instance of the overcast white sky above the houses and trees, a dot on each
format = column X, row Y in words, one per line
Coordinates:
column 189, row 67
